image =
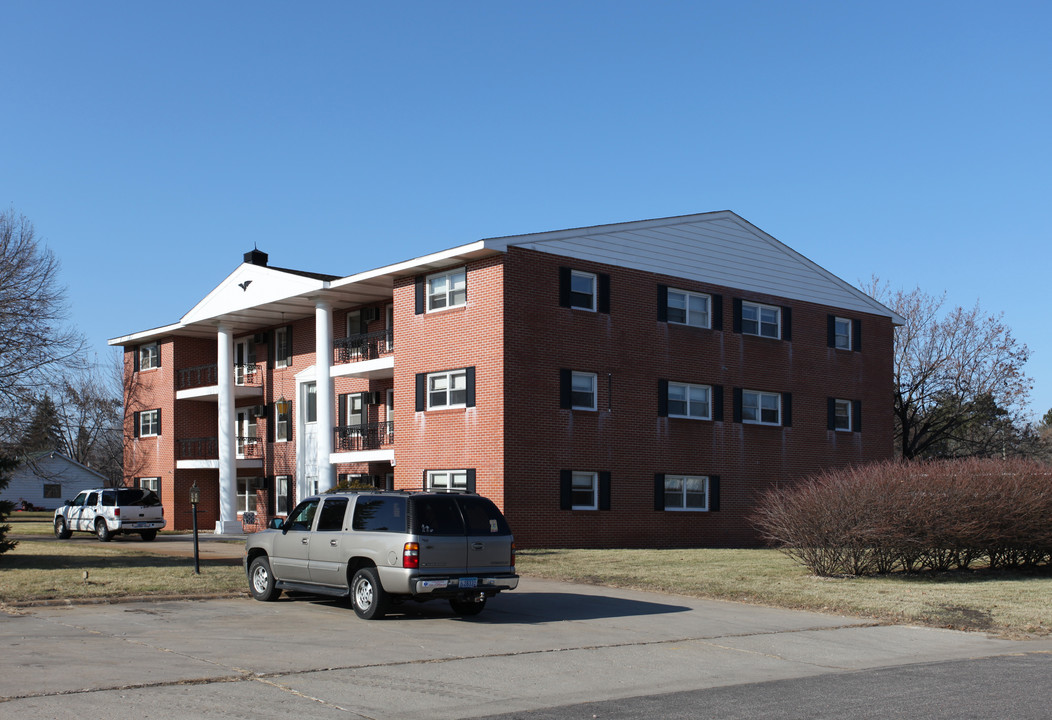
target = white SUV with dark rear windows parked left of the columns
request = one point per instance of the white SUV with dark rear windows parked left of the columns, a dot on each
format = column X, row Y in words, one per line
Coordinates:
column 112, row 511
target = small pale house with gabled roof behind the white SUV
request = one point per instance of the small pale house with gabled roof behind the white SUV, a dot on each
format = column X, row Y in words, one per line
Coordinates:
column 49, row 479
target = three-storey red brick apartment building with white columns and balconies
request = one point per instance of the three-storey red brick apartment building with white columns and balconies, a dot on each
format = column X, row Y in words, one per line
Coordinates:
column 635, row 385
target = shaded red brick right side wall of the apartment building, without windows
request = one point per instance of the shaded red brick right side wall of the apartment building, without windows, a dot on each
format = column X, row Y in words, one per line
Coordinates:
column 631, row 351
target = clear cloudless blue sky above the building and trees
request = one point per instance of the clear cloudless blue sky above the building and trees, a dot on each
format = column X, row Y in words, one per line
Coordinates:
column 154, row 144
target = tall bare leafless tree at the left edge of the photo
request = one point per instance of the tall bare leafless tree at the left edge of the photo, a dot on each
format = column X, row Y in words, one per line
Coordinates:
column 35, row 342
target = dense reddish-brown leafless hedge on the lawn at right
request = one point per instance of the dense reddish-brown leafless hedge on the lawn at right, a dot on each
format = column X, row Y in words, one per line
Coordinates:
column 938, row 516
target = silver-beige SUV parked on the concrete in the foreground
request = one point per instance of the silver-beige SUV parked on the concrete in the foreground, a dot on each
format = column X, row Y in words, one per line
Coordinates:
column 382, row 549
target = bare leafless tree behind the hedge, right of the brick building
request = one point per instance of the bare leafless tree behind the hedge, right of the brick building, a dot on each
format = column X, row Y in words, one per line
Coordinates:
column 954, row 369
